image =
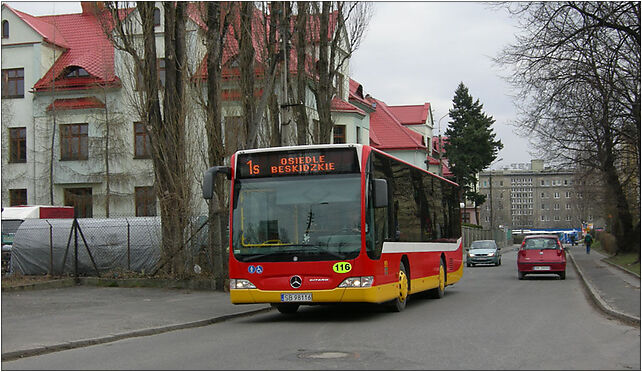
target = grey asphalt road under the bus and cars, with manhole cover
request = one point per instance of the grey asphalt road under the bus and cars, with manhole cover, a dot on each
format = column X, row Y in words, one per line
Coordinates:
column 487, row 321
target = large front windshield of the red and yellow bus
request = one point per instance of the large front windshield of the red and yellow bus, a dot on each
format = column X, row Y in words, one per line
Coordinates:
column 302, row 218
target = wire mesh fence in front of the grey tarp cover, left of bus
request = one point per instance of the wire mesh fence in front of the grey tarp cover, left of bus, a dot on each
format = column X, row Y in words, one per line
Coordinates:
column 96, row 246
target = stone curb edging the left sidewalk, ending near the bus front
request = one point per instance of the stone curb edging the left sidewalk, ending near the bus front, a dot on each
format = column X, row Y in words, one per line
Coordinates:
column 13, row 355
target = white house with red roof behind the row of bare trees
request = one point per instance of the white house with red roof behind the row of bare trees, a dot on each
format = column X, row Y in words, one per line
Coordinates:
column 69, row 100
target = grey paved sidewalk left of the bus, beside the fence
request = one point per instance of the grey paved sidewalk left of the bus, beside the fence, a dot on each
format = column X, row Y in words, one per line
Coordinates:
column 42, row 321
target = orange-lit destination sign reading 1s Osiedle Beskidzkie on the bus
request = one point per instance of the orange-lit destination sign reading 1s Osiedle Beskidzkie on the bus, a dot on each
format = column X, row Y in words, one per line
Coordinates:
column 297, row 162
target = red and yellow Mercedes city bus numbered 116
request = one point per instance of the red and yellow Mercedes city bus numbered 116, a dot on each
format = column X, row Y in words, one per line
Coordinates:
column 337, row 223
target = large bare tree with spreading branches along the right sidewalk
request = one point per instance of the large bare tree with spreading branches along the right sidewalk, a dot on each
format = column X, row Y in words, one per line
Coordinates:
column 577, row 69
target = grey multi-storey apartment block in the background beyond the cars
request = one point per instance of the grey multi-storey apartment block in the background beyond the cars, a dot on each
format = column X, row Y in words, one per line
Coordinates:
column 535, row 197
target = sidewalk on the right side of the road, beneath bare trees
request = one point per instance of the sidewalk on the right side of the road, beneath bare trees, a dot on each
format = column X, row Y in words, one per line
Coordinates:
column 615, row 291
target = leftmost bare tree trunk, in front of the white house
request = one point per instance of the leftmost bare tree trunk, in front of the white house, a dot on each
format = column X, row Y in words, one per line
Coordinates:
column 166, row 124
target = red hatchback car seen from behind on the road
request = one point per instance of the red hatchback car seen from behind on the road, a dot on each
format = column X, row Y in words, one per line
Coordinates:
column 541, row 254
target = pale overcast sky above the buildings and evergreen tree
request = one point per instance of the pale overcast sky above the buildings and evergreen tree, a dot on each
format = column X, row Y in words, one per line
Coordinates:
column 416, row 52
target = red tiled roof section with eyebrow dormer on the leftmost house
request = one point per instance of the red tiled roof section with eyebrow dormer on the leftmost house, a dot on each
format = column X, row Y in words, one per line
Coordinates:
column 89, row 49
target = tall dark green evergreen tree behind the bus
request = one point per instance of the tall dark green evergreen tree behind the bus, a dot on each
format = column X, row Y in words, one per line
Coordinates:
column 471, row 145
